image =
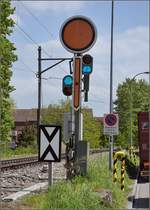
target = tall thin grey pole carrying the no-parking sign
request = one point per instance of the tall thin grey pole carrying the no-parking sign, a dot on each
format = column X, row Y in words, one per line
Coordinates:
column 111, row 87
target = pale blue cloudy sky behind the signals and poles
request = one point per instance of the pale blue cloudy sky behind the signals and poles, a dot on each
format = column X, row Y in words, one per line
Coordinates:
column 42, row 20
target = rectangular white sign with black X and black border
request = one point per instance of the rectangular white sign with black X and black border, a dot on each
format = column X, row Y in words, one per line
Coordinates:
column 49, row 143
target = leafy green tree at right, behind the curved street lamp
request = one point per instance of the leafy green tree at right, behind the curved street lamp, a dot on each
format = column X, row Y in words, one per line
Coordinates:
column 132, row 97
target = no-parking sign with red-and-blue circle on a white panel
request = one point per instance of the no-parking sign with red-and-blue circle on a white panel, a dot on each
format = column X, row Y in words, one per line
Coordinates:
column 111, row 122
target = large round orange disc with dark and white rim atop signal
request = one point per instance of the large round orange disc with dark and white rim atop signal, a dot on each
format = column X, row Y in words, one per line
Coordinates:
column 78, row 34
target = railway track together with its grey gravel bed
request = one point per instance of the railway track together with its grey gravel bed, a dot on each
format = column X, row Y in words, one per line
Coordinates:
column 23, row 172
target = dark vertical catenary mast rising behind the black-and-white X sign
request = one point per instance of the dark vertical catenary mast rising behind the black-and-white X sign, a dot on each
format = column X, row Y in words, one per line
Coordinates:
column 39, row 93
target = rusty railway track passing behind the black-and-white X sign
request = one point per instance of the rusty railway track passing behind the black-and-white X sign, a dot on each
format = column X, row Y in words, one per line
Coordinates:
column 23, row 161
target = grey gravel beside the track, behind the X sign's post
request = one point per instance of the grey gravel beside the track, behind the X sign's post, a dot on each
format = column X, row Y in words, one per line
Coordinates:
column 16, row 179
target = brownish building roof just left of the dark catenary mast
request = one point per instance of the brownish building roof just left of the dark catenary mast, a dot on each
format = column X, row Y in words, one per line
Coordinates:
column 23, row 115
